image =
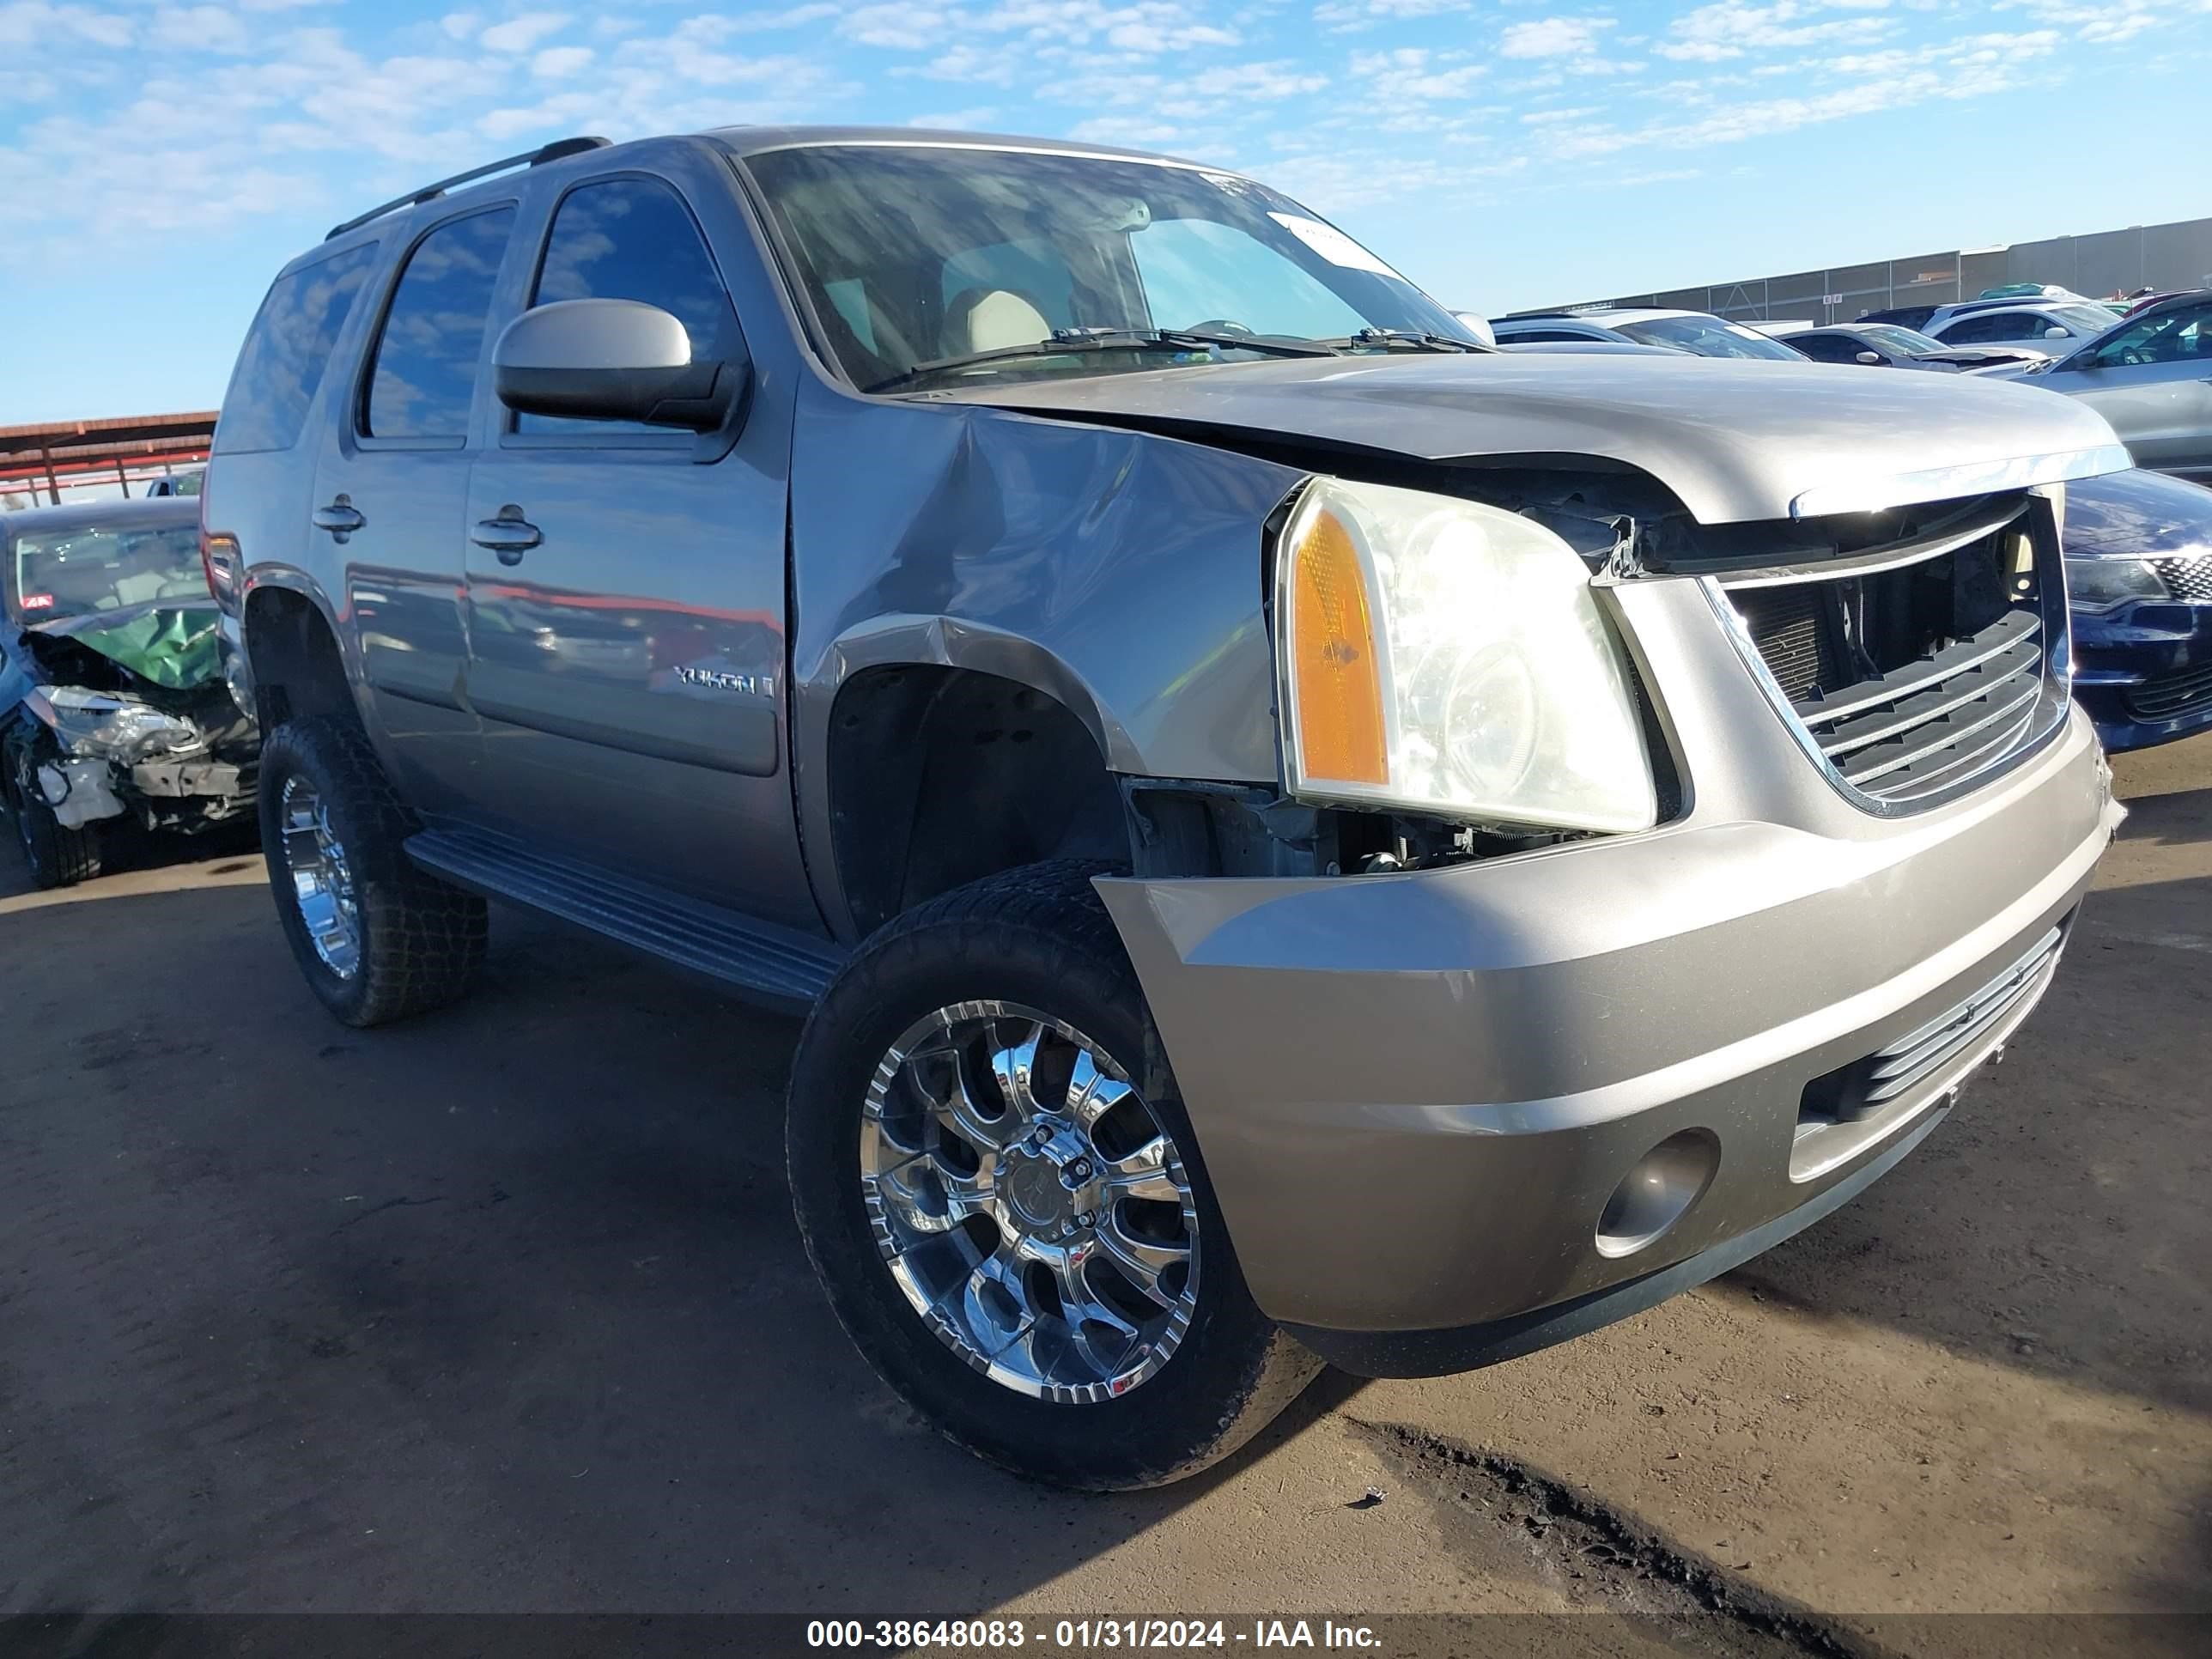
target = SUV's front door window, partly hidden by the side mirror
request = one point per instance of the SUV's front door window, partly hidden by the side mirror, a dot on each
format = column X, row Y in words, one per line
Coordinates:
column 634, row 240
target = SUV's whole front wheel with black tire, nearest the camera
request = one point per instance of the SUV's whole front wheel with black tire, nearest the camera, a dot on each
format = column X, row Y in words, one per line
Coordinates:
column 1003, row 1196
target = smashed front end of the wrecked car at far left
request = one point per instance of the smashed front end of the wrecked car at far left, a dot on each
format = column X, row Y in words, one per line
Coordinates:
column 132, row 718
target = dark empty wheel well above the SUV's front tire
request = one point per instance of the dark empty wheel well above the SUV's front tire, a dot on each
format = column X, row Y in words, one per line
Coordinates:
column 946, row 775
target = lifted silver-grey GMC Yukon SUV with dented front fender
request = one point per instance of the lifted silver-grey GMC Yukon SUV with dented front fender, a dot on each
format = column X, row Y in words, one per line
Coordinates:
column 1300, row 837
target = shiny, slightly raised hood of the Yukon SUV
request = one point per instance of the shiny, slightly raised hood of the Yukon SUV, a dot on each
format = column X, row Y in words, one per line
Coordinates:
column 1735, row 441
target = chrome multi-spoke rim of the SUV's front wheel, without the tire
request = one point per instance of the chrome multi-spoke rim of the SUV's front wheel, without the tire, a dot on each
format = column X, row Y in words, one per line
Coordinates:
column 1027, row 1202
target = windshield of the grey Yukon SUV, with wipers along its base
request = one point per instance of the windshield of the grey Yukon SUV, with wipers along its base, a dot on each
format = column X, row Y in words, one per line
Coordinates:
column 926, row 253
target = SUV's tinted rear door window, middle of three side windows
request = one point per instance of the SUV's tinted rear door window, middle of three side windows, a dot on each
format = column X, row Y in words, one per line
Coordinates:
column 435, row 333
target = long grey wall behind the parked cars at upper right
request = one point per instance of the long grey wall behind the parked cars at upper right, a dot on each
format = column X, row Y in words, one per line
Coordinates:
column 2109, row 262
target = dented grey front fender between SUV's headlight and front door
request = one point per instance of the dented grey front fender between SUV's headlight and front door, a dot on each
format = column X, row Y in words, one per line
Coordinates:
column 1116, row 572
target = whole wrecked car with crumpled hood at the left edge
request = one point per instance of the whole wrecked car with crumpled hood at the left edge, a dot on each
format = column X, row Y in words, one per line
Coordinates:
column 112, row 691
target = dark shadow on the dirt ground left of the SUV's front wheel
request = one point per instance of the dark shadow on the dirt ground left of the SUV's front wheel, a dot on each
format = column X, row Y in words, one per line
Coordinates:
column 501, row 1308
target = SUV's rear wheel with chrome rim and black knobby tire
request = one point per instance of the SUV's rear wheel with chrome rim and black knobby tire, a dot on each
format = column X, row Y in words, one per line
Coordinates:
column 386, row 939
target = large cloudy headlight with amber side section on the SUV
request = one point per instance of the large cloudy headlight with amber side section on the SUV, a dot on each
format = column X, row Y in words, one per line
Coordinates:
column 1450, row 658
